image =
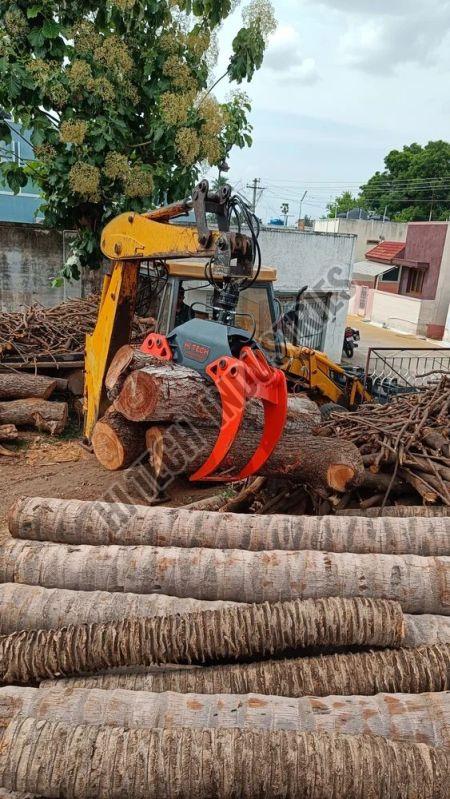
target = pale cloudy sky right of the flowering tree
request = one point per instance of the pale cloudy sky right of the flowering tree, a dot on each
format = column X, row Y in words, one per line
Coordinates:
column 343, row 83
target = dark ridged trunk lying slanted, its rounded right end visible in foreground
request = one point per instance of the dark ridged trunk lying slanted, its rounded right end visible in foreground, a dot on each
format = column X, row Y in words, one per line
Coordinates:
column 228, row 634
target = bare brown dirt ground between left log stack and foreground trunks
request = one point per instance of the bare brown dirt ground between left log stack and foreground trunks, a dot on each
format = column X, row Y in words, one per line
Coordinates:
column 63, row 468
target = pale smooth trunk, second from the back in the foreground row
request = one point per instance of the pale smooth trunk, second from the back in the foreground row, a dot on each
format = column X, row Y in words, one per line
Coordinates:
column 419, row 584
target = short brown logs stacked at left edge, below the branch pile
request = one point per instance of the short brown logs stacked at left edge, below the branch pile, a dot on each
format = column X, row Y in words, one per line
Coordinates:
column 25, row 402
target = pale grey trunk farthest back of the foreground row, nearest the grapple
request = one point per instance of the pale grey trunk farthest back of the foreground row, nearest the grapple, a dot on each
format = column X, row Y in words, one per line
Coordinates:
column 76, row 521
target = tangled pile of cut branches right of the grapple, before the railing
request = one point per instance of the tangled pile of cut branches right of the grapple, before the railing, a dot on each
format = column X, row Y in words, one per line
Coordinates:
column 404, row 446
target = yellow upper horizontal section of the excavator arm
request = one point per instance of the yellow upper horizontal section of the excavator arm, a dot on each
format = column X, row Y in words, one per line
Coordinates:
column 133, row 235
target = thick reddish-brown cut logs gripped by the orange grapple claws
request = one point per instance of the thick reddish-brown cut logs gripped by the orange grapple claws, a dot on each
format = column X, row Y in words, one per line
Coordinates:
column 172, row 414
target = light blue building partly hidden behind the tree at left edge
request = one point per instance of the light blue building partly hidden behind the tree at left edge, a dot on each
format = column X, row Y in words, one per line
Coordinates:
column 21, row 207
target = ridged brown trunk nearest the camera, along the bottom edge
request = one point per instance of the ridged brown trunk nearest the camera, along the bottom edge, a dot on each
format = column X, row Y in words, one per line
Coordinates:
column 110, row 762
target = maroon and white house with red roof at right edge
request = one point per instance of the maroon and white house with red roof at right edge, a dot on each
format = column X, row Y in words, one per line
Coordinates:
column 405, row 285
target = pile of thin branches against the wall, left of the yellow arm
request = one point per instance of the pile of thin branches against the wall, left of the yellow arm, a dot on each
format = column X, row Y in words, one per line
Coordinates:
column 38, row 333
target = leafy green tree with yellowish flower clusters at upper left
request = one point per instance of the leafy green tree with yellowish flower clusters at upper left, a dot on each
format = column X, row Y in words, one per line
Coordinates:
column 116, row 96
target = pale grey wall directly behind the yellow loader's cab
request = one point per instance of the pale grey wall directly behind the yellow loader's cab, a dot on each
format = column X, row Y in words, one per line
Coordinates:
column 322, row 261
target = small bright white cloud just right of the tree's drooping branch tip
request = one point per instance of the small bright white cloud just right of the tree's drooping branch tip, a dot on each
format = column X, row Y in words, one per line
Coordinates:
column 284, row 57
